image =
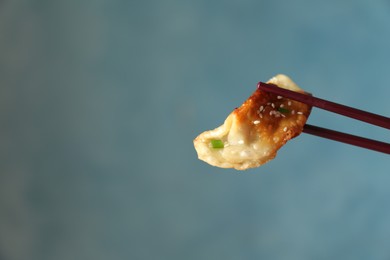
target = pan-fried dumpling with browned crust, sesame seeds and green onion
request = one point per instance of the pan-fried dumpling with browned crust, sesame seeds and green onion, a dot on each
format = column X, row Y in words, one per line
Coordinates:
column 253, row 133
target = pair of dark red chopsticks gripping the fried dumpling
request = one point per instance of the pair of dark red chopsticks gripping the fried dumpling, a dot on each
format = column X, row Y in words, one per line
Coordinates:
column 351, row 112
